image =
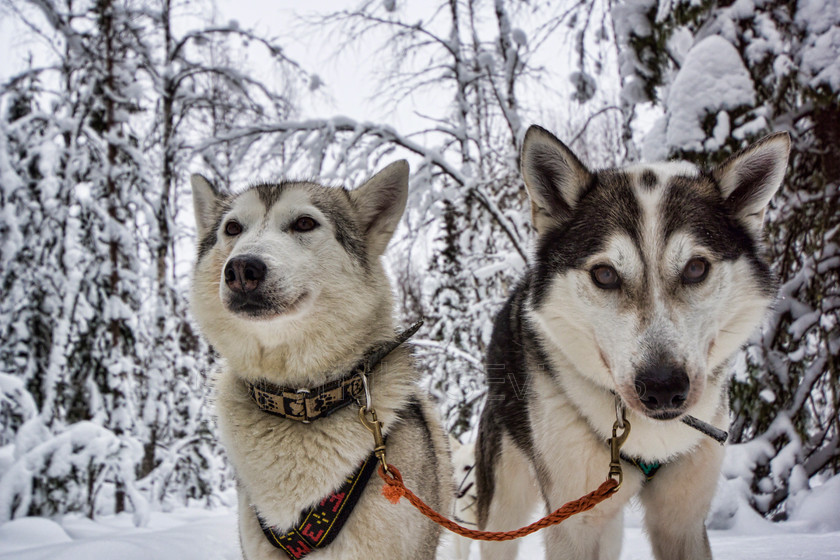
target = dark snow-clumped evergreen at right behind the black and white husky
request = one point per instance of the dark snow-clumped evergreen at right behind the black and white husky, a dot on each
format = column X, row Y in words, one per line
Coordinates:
column 725, row 76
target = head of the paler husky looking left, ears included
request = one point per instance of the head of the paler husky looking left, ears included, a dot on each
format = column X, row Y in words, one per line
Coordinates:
column 280, row 258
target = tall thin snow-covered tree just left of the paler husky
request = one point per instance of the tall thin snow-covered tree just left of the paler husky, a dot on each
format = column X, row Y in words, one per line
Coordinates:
column 199, row 90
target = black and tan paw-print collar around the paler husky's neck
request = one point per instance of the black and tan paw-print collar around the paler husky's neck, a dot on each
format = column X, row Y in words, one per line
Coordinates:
column 306, row 405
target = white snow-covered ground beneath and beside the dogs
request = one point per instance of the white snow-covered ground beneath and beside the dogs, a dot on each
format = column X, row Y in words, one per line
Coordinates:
column 199, row 534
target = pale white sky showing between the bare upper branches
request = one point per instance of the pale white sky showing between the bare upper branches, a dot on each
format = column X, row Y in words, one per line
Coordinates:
column 349, row 77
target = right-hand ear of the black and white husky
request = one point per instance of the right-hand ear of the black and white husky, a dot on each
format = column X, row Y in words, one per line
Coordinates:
column 750, row 178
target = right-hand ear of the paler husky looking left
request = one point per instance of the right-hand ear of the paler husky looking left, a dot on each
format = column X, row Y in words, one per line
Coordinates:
column 381, row 202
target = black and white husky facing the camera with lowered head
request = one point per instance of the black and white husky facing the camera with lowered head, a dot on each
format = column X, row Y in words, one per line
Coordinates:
column 645, row 280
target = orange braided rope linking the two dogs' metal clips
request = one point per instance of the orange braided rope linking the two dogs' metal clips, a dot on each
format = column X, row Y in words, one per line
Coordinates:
column 395, row 489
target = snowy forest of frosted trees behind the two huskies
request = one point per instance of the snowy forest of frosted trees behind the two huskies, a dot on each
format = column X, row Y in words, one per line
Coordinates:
column 105, row 405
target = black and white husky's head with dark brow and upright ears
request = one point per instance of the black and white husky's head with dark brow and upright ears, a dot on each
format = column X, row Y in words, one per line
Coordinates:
column 648, row 278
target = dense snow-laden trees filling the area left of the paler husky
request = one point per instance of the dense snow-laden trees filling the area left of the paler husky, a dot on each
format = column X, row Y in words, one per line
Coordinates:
column 103, row 397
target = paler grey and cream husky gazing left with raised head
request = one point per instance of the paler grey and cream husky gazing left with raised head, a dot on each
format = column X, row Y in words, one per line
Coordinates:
column 289, row 289
